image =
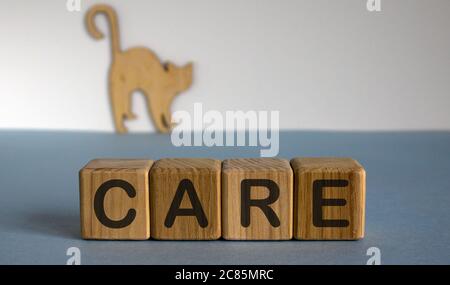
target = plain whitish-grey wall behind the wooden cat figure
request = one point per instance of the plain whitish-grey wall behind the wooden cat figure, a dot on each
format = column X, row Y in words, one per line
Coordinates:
column 324, row 64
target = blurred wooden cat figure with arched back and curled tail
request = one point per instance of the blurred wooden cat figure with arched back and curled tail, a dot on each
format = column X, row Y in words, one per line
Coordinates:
column 139, row 69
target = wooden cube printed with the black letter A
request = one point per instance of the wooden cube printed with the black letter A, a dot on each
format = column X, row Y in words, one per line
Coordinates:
column 185, row 199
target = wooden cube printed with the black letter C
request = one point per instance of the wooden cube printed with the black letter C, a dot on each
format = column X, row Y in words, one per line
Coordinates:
column 114, row 199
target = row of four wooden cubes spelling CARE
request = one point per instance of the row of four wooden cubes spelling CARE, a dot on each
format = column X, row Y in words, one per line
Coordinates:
column 237, row 199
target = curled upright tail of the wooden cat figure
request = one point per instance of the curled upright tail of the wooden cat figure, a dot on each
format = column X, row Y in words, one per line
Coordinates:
column 112, row 21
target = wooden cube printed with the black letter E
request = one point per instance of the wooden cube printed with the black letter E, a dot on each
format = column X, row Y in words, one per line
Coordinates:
column 329, row 198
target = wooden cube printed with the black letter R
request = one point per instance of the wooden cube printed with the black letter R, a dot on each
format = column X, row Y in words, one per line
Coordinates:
column 257, row 199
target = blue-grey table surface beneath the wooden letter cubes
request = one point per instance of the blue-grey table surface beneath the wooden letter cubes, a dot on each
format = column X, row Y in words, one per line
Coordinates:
column 407, row 212
